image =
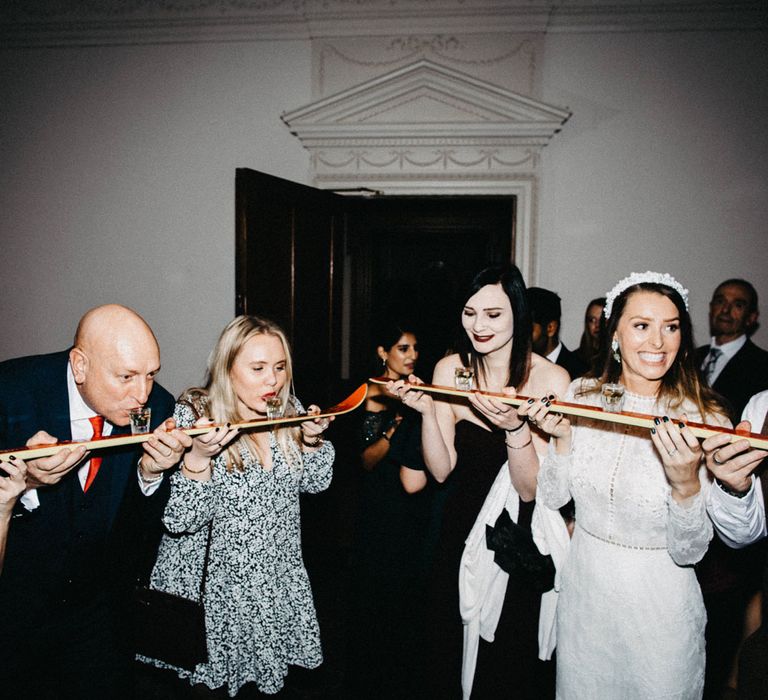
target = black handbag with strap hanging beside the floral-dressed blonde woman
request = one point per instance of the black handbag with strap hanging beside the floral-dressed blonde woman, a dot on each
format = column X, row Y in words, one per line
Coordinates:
column 168, row 627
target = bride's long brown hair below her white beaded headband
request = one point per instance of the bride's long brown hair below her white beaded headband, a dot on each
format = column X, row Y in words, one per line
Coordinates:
column 681, row 381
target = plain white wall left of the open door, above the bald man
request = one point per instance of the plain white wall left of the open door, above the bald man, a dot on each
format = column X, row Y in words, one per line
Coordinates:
column 117, row 169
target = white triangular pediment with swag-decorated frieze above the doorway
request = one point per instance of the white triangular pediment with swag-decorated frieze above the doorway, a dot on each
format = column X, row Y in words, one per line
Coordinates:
column 423, row 120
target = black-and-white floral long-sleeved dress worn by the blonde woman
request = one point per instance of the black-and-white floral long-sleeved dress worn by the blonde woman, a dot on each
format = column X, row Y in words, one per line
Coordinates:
column 260, row 615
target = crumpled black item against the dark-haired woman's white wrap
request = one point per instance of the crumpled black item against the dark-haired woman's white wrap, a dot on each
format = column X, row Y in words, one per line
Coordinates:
column 517, row 554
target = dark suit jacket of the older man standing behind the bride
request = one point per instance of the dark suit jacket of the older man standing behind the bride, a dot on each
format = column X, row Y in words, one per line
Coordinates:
column 745, row 375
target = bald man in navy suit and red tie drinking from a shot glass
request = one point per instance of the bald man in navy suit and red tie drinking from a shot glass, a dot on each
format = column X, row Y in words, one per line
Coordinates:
column 80, row 530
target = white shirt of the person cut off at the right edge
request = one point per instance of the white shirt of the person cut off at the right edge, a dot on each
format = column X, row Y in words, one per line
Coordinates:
column 742, row 521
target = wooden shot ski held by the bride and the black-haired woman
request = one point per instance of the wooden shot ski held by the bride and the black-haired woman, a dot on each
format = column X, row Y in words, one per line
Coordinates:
column 640, row 420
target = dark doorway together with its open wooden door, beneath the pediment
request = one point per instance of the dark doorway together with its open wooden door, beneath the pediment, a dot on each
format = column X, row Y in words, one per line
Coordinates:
column 406, row 257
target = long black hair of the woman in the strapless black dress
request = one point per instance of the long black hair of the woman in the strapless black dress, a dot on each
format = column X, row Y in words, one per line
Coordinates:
column 510, row 279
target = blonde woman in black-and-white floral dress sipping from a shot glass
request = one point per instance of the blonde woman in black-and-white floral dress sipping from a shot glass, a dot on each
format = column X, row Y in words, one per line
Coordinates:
column 260, row 616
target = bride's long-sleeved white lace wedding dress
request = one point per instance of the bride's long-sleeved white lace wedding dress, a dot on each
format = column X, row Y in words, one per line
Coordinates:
column 630, row 618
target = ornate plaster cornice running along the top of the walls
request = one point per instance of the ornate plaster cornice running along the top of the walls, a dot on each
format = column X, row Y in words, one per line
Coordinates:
column 25, row 23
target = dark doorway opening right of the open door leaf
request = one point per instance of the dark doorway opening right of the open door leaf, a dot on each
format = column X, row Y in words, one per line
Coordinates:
column 413, row 257
